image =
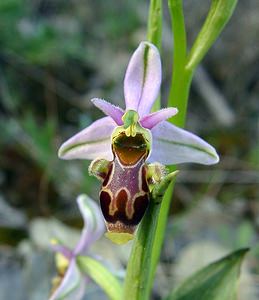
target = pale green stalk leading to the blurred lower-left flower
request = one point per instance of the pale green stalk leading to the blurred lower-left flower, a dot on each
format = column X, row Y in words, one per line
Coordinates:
column 102, row 276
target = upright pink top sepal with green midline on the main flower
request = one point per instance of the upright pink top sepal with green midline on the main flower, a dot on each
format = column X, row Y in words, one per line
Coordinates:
column 143, row 79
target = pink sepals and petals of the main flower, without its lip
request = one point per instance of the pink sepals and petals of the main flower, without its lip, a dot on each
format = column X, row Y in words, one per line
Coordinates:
column 170, row 144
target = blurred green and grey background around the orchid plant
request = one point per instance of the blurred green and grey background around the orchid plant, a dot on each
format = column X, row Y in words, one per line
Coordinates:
column 54, row 57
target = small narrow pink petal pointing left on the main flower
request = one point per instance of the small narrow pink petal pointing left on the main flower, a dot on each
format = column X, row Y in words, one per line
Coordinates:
column 109, row 109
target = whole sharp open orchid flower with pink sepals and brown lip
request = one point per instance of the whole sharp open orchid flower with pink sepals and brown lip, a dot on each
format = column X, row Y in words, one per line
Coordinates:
column 122, row 142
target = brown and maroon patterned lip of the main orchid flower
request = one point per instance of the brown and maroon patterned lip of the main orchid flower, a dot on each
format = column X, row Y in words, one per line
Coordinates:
column 124, row 195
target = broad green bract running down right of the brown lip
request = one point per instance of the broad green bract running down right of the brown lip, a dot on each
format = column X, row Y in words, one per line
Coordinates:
column 145, row 255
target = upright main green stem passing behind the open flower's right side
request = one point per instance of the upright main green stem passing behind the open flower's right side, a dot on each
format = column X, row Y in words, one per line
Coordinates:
column 178, row 97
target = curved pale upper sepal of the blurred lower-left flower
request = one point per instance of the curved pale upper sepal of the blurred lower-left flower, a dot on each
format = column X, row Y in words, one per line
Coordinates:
column 94, row 226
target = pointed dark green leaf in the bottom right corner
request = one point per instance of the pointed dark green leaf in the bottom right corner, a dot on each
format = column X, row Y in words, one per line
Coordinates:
column 217, row 281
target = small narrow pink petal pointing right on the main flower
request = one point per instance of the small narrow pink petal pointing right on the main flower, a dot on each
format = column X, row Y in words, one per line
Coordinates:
column 153, row 119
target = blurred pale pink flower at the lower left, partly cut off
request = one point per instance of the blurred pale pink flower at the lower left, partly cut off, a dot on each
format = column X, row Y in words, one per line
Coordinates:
column 71, row 282
